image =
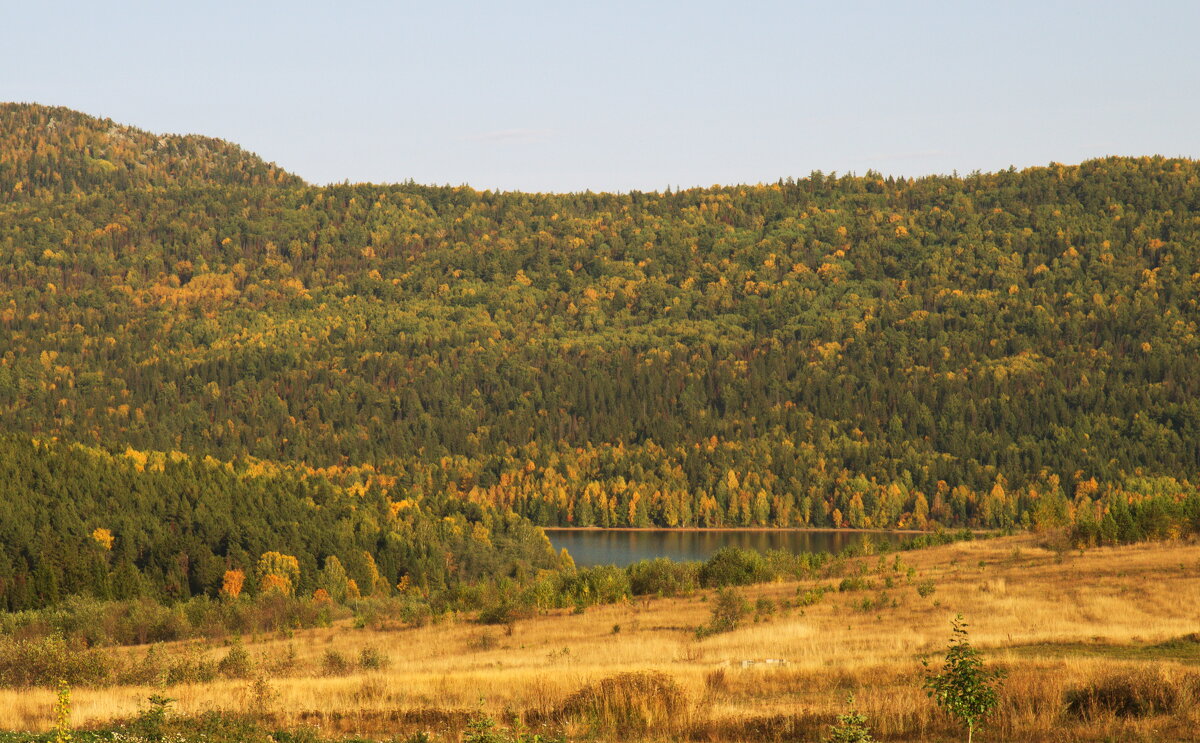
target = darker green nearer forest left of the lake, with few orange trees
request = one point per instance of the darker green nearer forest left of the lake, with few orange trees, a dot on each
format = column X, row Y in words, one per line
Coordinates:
column 167, row 528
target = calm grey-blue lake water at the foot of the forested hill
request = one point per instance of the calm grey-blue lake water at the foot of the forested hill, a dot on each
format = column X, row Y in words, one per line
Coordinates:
column 614, row 548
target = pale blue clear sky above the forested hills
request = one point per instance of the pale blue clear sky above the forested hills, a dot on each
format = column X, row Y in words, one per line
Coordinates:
column 619, row 97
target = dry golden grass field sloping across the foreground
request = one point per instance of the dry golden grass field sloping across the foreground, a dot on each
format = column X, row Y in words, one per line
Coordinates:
column 1097, row 646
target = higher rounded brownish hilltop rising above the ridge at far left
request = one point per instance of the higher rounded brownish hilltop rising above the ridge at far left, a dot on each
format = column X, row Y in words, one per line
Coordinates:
column 64, row 151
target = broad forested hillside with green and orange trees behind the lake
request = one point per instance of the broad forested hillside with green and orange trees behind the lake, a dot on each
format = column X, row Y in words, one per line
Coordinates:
column 863, row 351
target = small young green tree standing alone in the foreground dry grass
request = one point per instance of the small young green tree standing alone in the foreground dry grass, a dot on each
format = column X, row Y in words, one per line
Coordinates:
column 964, row 690
